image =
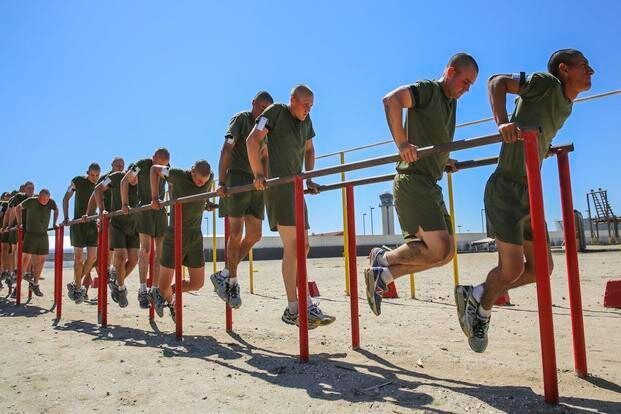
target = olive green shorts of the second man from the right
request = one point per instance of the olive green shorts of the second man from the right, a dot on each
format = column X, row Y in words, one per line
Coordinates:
column 419, row 203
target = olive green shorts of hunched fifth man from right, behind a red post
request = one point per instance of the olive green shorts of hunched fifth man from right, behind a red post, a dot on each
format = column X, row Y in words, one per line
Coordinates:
column 191, row 249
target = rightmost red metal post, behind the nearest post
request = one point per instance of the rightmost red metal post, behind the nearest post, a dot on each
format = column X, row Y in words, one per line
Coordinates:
column 571, row 258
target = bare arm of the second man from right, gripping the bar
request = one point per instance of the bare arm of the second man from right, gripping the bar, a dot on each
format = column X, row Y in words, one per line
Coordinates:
column 394, row 103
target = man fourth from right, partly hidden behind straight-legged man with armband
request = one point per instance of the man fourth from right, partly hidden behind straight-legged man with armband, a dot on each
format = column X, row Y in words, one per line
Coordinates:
column 244, row 209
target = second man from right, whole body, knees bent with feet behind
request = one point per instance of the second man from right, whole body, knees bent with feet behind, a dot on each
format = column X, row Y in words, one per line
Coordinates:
column 425, row 223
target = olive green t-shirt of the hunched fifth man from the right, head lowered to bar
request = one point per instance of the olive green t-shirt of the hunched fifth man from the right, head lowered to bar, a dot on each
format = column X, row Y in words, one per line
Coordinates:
column 182, row 185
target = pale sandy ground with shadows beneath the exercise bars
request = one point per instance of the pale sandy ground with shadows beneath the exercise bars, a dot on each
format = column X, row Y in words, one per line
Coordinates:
column 414, row 357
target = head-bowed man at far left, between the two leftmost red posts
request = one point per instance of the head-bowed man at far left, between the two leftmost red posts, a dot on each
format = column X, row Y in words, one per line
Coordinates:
column 36, row 241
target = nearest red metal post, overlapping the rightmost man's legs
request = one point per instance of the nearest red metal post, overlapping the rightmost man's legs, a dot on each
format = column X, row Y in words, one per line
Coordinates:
column 544, row 296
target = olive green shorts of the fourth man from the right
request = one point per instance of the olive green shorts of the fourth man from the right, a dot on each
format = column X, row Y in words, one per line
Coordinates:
column 249, row 203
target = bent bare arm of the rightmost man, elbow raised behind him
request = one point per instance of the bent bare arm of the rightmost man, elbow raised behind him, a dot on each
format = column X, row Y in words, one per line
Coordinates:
column 498, row 86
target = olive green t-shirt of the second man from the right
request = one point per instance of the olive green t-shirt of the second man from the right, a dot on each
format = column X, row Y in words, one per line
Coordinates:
column 431, row 121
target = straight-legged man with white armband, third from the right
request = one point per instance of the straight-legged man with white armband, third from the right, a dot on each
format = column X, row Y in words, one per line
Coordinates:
column 289, row 133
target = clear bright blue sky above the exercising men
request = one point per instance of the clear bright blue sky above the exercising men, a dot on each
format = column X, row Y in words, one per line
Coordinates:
column 85, row 81
